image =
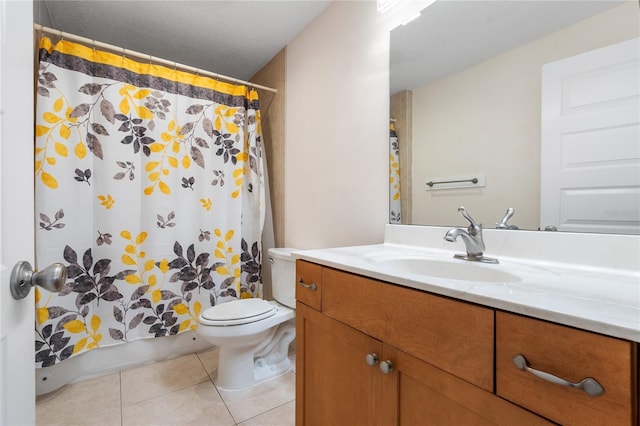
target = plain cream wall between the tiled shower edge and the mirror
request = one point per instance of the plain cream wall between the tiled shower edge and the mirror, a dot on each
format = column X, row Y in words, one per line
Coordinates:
column 337, row 103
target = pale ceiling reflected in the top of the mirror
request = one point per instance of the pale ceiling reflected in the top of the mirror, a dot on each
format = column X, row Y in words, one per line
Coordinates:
column 452, row 35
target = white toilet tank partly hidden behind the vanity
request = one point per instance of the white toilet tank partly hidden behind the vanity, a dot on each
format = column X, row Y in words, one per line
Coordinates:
column 283, row 276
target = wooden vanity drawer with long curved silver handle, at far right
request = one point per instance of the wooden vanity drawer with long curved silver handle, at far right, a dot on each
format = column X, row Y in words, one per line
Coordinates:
column 572, row 355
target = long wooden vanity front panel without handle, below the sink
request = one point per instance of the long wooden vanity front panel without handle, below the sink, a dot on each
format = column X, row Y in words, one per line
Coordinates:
column 454, row 336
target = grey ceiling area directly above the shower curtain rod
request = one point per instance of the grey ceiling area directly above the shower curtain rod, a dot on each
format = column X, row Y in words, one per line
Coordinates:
column 234, row 38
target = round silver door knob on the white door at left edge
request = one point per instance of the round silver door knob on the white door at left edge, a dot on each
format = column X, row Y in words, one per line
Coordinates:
column 51, row 278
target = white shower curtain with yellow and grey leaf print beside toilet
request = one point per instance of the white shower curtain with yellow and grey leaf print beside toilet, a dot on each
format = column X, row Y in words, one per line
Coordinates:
column 149, row 188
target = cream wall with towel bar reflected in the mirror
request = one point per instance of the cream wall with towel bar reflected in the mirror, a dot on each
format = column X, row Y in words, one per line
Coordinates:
column 486, row 119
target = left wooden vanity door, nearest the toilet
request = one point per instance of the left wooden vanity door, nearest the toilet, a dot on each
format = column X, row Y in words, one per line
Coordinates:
column 334, row 385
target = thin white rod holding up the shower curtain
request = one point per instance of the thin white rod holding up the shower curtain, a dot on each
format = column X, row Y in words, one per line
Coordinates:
column 128, row 52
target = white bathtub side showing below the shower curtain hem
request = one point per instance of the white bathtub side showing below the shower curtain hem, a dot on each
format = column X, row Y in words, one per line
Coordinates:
column 102, row 361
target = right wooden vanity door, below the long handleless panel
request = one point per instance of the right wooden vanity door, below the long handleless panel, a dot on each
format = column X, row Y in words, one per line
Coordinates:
column 417, row 393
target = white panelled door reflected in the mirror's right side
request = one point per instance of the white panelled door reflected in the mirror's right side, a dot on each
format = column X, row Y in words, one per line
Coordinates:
column 590, row 165
